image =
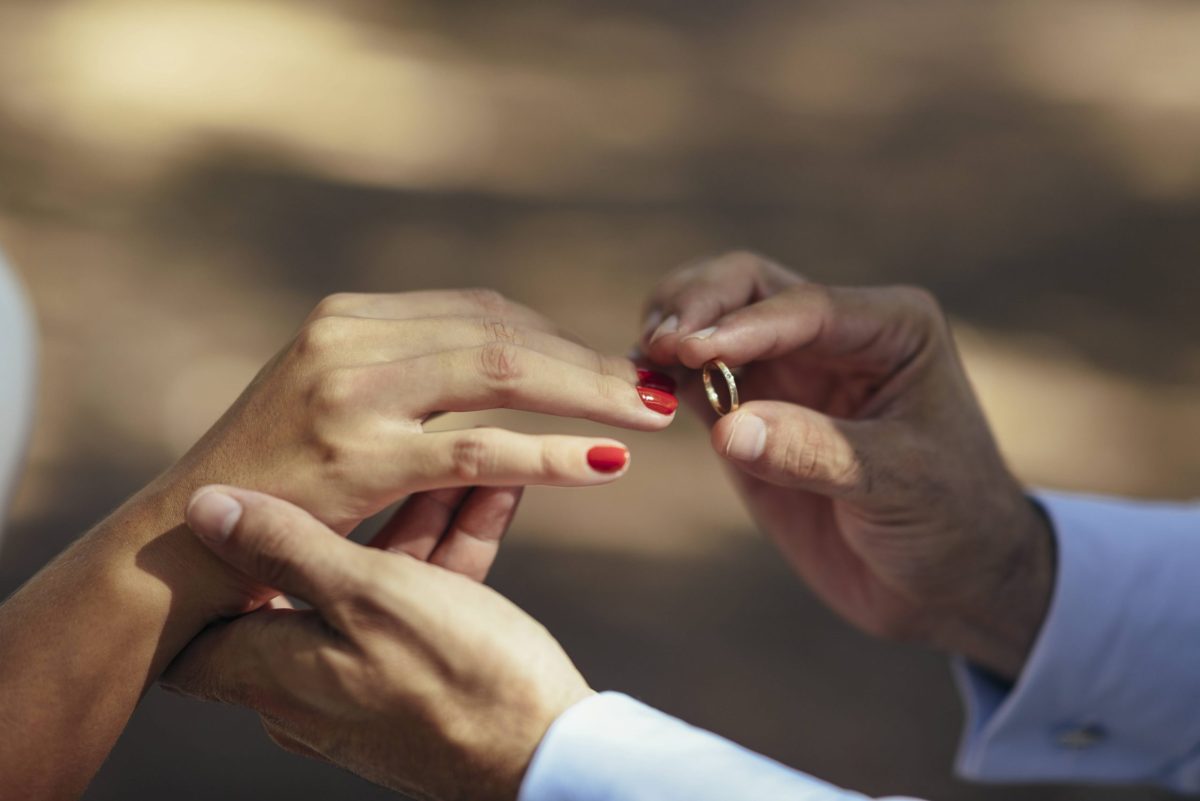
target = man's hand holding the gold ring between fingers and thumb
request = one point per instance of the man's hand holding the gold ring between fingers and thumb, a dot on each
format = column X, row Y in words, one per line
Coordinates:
column 865, row 455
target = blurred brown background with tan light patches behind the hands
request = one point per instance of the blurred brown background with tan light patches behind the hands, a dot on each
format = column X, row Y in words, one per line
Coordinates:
column 182, row 180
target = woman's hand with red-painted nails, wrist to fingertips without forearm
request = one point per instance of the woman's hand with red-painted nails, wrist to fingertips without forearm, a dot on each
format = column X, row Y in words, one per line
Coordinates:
column 335, row 423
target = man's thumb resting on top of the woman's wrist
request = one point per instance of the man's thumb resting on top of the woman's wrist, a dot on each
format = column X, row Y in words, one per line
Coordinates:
column 273, row 543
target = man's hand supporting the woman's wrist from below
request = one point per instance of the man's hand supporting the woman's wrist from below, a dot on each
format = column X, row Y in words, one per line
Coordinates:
column 406, row 673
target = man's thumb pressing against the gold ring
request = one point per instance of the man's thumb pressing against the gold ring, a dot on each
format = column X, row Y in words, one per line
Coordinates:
column 794, row 447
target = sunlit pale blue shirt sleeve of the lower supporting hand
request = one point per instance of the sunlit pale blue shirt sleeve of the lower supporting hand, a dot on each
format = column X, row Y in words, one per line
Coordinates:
column 610, row 748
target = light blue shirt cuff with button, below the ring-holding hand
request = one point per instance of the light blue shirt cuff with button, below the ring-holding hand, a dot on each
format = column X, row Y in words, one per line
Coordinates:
column 1112, row 691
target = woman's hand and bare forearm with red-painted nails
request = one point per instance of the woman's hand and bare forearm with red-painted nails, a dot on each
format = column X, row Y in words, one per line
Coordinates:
column 334, row 424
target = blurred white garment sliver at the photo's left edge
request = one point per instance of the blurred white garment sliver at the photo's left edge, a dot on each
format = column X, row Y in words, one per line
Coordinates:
column 17, row 366
